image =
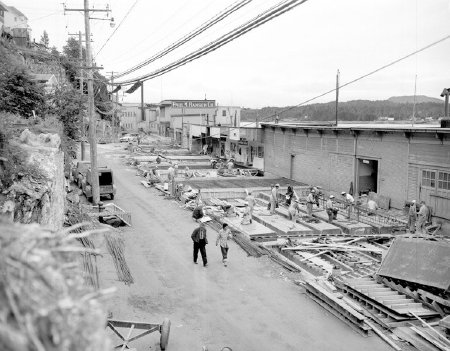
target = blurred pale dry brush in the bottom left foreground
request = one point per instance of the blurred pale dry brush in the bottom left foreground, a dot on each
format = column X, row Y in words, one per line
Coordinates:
column 44, row 303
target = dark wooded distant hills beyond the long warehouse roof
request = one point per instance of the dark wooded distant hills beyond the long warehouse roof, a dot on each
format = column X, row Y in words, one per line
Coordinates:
column 357, row 110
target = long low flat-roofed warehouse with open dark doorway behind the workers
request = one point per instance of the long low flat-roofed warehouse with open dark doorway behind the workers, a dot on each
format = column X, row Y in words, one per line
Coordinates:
column 400, row 162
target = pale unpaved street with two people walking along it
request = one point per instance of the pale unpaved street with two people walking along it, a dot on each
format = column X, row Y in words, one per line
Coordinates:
column 249, row 305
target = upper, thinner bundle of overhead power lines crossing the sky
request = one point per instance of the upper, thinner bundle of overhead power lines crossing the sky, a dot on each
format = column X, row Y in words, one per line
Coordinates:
column 208, row 24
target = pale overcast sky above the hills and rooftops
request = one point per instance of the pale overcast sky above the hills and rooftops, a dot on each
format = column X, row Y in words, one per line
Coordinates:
column 284, row 62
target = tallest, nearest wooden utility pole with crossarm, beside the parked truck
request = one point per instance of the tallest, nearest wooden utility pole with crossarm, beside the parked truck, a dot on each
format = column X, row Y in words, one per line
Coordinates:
column 92, row 121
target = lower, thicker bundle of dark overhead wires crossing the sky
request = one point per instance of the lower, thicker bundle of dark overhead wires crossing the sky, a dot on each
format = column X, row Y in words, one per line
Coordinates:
column 257, row 21
